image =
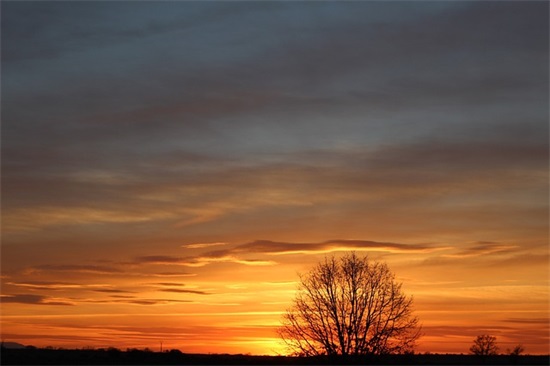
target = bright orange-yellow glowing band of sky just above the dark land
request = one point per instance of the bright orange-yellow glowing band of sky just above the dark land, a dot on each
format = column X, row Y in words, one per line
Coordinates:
column 218, row 316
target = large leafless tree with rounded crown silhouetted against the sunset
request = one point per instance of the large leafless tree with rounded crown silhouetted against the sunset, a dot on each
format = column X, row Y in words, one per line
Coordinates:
column 350, row 306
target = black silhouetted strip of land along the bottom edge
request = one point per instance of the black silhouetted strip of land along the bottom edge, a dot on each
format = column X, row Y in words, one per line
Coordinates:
column 113, row 356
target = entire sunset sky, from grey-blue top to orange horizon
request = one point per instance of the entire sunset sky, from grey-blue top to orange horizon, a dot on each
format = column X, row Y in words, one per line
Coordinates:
column 169, row 168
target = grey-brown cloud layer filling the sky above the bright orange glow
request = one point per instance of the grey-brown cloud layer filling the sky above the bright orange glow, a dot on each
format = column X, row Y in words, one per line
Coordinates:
column 182, row 120
